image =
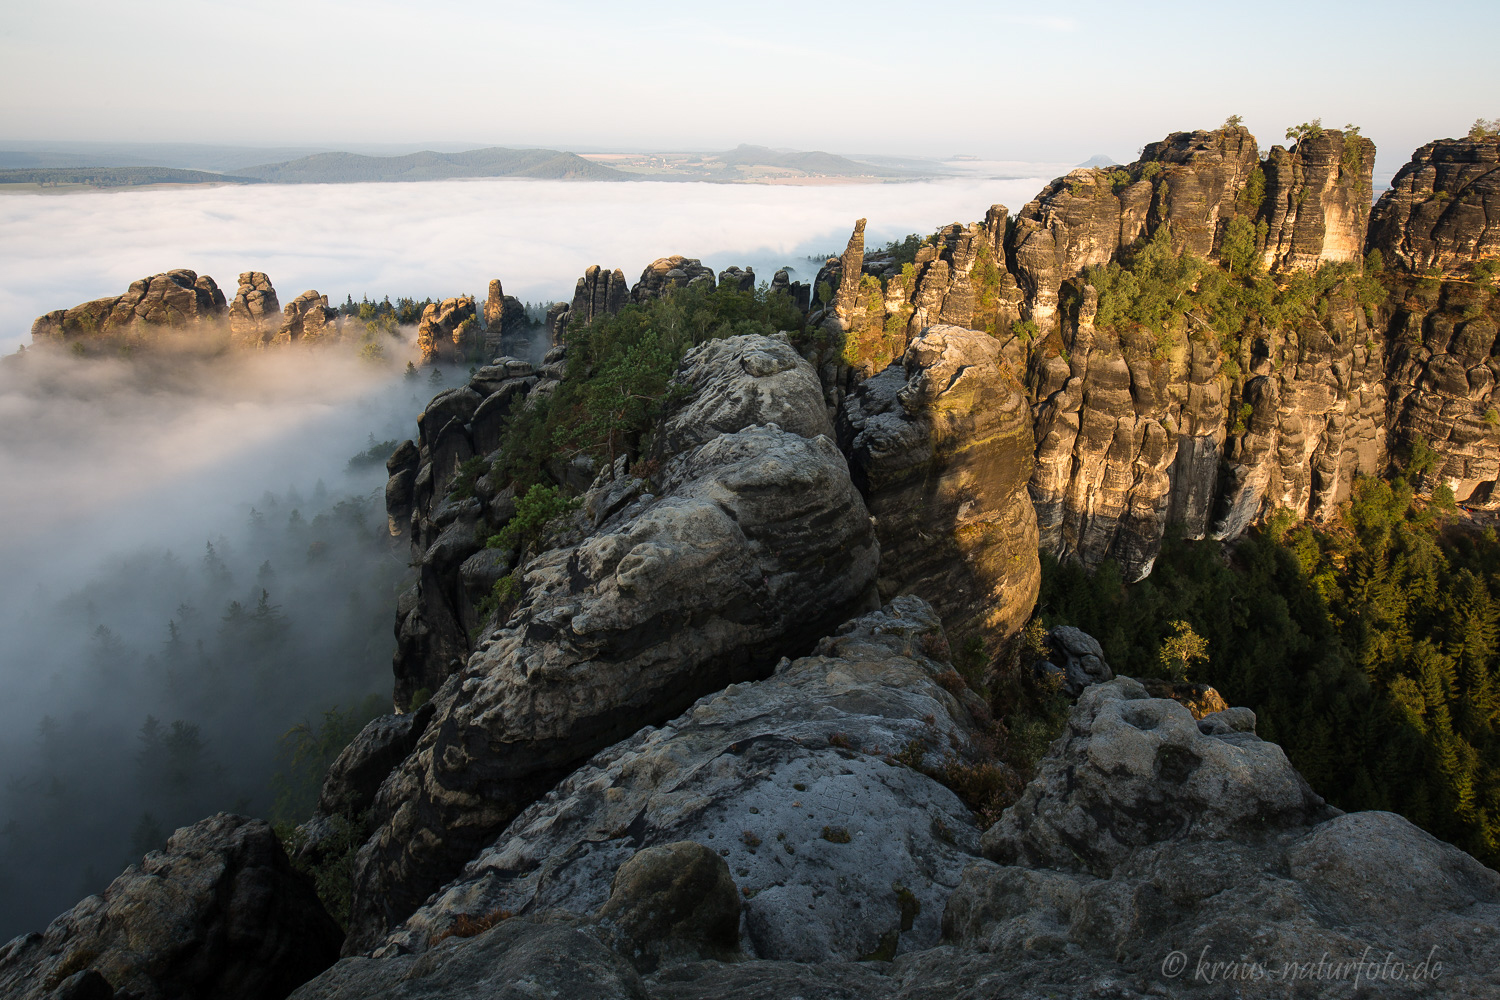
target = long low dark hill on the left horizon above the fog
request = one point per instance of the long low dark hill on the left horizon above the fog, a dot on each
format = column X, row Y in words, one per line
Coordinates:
column 344, row 169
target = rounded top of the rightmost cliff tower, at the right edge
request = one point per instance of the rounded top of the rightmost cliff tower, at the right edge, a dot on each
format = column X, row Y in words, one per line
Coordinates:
column 1444, row 209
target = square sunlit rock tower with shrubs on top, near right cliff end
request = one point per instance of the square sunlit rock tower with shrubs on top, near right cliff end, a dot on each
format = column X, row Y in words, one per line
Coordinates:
column 1318, row 200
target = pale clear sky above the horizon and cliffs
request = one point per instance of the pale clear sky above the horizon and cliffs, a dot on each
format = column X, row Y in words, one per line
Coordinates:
column 1007, row 80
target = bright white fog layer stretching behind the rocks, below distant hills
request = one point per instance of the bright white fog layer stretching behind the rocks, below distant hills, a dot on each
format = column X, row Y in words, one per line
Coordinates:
column 442, row 238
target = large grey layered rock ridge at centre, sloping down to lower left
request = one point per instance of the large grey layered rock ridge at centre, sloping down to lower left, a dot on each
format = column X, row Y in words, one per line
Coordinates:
column 748, row 545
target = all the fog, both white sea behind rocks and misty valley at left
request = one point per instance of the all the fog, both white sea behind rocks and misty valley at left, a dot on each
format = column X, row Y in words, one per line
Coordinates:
column 194, row 560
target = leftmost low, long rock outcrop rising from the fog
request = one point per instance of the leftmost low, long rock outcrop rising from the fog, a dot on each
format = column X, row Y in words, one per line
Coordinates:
column 140, row 317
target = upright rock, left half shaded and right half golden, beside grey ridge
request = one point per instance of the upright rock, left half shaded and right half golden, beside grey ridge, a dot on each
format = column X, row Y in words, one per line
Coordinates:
column 941, row 446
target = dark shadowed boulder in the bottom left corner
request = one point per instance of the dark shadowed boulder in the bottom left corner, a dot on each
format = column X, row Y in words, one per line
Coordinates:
column 218, row 914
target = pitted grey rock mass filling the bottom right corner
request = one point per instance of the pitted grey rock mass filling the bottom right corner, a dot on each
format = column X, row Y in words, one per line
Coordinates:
column 1189, row 855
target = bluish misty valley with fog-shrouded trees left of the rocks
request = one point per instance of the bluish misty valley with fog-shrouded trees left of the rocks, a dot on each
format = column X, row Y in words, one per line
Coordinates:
column 199, row 582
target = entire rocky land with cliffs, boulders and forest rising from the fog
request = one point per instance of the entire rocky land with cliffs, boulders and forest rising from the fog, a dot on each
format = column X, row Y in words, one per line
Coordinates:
column 739, row 654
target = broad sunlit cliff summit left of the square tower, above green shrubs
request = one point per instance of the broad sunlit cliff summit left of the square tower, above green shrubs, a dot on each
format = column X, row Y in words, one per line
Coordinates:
column 1192, row 182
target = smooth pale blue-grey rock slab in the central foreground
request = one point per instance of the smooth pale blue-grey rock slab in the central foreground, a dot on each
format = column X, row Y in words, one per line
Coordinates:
column 839, row 852
